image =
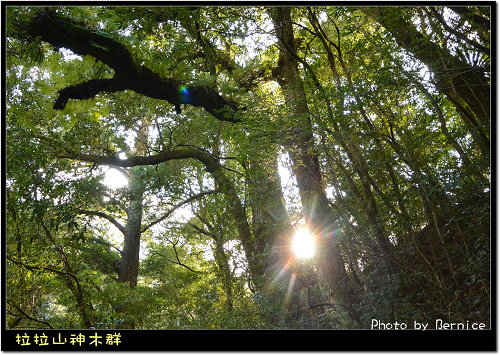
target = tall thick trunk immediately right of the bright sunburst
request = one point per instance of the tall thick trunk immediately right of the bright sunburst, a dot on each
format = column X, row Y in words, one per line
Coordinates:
column 300, row 145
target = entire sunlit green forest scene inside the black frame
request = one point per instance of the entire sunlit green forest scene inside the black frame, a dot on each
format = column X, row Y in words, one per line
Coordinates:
column 247, row 166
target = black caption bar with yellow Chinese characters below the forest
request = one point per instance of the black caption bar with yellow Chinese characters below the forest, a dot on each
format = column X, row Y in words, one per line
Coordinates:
column 246, row 340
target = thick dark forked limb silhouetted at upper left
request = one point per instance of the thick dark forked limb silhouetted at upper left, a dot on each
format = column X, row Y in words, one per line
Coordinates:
column 63, row 32
